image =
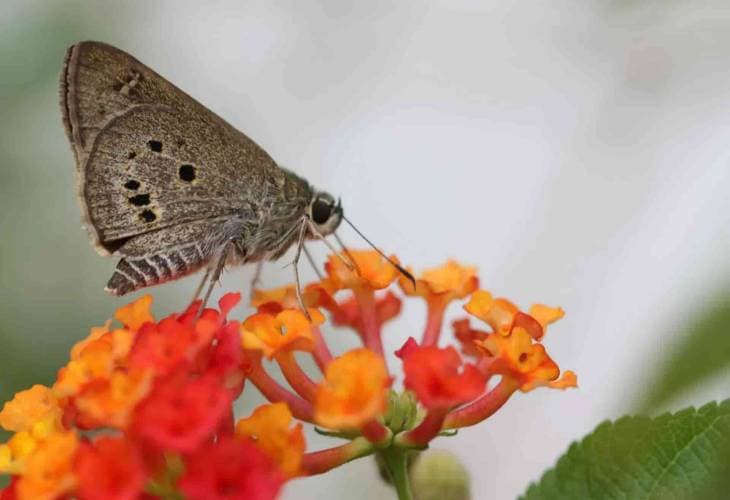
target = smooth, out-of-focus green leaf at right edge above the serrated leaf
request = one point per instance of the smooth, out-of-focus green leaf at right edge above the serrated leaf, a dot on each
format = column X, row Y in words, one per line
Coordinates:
column 701, row 354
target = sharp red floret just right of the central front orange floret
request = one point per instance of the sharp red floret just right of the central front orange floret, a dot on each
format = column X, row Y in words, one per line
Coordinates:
column 434, row 375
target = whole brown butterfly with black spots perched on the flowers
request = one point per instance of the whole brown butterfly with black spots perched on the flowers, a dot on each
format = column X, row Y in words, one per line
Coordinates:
column 171, row 188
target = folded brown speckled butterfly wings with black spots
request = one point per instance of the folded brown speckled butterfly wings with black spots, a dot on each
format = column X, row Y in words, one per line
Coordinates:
column 150, row 158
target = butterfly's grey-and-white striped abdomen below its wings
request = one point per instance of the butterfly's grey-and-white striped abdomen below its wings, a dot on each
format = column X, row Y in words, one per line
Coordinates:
column 134, row 273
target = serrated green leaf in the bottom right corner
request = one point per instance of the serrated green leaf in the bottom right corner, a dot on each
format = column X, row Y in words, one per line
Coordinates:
column 673, row 456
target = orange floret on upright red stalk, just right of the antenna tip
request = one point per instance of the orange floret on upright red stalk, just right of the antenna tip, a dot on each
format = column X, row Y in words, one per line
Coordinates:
column 445, row 283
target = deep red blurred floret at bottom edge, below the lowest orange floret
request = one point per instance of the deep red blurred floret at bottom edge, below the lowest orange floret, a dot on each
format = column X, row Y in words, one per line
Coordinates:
column 230, row 469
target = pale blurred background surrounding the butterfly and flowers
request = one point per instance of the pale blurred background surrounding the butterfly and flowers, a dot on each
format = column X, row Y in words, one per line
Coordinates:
column 577, row 152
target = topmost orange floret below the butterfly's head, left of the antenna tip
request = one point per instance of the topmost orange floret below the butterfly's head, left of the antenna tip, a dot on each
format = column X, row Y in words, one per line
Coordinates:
column 373, row 271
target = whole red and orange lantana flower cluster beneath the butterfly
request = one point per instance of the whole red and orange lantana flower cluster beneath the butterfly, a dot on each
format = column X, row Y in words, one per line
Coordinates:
column 144, row 408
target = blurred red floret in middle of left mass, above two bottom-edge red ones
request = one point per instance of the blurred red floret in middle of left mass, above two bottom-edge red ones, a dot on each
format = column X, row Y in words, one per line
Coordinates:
column 182, row 412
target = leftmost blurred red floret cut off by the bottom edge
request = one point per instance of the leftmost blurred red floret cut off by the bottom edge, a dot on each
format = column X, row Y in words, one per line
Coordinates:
column 109, row 468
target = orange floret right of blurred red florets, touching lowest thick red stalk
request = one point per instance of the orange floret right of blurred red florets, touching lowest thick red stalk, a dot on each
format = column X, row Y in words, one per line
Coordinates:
column 269, row 428
